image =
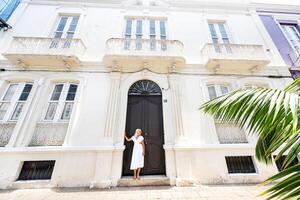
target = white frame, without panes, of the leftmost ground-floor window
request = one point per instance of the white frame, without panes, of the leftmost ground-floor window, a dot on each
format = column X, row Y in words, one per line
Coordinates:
column 14, row 101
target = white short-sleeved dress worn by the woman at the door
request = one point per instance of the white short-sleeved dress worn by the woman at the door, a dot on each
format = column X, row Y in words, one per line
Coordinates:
column 137, row 159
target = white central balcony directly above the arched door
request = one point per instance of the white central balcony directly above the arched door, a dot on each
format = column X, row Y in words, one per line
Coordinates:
column 134, row 54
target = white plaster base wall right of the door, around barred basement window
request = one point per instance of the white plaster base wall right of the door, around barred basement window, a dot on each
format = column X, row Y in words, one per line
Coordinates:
column 198, row 165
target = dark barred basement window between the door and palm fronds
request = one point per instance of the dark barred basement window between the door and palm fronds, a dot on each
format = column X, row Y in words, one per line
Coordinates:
column 240, row 164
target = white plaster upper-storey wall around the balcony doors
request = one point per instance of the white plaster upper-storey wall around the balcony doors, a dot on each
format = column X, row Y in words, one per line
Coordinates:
column 97, row 24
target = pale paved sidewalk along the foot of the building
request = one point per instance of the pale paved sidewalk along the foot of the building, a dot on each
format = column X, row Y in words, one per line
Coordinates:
column 207, row 192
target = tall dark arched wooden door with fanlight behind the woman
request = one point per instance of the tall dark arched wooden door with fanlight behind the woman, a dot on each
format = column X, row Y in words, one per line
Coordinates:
column 144, row 110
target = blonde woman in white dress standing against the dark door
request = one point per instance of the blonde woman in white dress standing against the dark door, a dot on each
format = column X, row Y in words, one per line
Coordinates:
column 138, row 153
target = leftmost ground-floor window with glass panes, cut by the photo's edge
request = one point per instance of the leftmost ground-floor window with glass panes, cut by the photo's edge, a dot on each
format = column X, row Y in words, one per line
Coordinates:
column 14, row 100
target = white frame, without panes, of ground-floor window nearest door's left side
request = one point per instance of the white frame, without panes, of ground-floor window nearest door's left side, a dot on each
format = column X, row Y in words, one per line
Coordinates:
column 61, row 102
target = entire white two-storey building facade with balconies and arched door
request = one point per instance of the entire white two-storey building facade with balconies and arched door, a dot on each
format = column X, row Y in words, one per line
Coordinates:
column 76, row 74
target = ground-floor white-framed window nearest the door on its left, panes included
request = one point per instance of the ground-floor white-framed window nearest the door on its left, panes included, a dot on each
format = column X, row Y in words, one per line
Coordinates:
column 61, row 102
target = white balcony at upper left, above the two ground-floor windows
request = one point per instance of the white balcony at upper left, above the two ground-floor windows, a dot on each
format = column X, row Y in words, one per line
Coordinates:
column 45, row 52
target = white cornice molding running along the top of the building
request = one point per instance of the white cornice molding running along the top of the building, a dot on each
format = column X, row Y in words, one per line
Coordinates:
column 178, row 5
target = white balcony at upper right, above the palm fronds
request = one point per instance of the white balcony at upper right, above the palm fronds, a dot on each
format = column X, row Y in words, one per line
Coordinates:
column 234, row 57
